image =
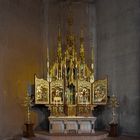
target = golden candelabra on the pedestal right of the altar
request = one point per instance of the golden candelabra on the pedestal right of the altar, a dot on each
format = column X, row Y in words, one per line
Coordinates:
column 114, row 104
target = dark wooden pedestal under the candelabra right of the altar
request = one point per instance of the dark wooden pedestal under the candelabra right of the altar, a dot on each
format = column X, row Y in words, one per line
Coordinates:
column 113, row 130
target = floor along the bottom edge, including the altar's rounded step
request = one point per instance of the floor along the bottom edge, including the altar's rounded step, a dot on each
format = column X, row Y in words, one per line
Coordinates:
column 97, row 136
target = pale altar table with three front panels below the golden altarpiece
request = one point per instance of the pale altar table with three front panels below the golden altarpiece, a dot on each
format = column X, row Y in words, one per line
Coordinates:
column 67, row 124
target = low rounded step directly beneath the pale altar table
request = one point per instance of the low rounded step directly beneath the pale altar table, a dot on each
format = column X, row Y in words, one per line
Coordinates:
column 99, row 135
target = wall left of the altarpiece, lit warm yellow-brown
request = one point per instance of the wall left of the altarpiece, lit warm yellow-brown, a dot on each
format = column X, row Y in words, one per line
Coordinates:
column 20, row 59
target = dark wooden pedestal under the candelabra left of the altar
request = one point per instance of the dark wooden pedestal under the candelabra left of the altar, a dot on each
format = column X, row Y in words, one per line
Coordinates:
column 29, row 130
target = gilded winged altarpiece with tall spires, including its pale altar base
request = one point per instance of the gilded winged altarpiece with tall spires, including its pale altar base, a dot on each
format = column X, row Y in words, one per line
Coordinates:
column 70, row 91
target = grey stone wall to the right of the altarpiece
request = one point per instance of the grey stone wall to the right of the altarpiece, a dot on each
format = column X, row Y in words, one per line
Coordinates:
column 118, row 49
